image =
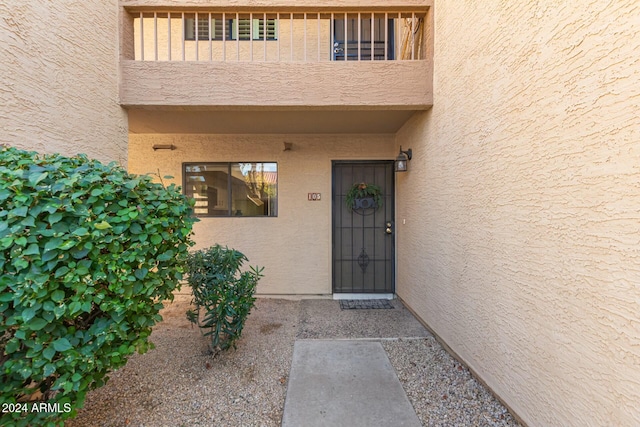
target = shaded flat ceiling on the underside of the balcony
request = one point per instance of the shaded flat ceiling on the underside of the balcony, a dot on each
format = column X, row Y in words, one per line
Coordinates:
column 270, row 122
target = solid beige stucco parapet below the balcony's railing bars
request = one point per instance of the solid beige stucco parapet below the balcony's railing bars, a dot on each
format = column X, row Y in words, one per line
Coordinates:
column 382, row 84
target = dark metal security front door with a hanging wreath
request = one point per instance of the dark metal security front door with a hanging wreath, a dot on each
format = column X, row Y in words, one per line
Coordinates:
column 363, row 242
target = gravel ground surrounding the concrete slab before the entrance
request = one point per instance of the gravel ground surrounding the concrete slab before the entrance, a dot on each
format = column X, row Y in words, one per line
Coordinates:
column 180, row 383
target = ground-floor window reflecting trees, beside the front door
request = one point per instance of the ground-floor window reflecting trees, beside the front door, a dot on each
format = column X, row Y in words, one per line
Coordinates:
column 232, row 189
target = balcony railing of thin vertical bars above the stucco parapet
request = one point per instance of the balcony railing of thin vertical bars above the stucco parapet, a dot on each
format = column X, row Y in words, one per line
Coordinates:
column 278, row 37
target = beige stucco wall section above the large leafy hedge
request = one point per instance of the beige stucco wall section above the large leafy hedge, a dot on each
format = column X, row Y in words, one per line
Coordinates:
column 59, row 88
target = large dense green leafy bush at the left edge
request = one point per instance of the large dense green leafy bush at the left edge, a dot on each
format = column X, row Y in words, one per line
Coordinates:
column 89, row 253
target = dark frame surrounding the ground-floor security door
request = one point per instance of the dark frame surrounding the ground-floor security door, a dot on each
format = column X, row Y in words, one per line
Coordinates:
column 393, row 257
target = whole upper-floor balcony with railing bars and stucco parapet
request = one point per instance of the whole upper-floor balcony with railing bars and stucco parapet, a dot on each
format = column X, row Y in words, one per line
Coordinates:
column 277, row 60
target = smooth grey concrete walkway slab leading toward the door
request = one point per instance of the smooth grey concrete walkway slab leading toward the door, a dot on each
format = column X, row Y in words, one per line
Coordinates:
column 344, row 383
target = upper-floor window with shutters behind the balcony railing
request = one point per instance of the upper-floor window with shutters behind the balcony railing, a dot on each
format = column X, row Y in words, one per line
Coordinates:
column 244, row 28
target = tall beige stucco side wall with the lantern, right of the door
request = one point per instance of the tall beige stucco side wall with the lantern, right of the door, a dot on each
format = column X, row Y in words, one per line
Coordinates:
column 529, row 233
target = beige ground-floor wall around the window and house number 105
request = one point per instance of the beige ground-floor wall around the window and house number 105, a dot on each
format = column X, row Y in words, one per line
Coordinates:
column 295, row 247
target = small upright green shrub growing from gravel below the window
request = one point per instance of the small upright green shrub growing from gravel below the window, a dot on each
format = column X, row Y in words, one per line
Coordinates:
column 223, row 292
